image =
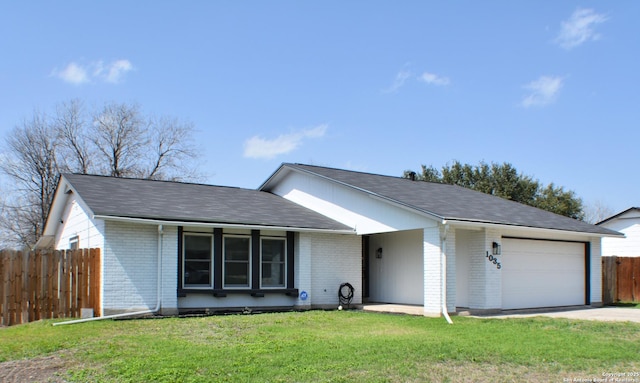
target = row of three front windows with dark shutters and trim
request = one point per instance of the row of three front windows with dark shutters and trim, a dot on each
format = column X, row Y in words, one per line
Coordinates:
column 237, row 262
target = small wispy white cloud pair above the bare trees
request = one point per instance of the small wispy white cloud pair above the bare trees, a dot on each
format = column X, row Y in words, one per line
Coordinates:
column 75, row 73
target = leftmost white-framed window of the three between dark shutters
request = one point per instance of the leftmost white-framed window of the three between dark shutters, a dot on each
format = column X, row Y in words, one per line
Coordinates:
column 197, row 260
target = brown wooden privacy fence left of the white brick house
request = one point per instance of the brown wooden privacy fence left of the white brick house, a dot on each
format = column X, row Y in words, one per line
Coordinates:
column 45, row 284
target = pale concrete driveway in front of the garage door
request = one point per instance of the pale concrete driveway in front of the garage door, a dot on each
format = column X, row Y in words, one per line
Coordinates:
column 615, row 314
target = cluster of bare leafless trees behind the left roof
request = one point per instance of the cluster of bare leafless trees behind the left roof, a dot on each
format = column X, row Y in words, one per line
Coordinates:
column 117, row 140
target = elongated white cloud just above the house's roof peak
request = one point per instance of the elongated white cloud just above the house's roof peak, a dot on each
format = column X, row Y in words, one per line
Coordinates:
column 259, row 147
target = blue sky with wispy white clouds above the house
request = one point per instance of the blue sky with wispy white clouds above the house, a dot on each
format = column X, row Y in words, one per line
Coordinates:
column 551, row 87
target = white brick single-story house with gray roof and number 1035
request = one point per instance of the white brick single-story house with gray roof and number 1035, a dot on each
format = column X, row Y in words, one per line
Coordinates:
column 176, row 247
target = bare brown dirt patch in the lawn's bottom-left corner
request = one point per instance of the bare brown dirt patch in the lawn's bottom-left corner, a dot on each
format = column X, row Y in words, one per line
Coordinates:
column 41, row 369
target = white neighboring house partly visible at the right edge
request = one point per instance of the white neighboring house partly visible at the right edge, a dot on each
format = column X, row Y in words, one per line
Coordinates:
column 627, row 223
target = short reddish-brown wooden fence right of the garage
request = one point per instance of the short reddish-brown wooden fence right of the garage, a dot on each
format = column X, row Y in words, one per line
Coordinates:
column 620, row 279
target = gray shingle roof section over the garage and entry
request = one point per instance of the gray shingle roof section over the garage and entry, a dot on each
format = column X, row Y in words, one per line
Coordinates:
column 452, row 202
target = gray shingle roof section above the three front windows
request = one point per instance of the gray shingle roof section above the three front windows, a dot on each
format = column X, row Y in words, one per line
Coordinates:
column 175, row 201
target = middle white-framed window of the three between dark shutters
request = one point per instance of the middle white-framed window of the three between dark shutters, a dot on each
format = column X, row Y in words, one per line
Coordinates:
column 237, row 261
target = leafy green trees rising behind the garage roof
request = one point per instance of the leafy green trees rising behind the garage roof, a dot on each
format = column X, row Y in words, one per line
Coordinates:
column 503, row 180
